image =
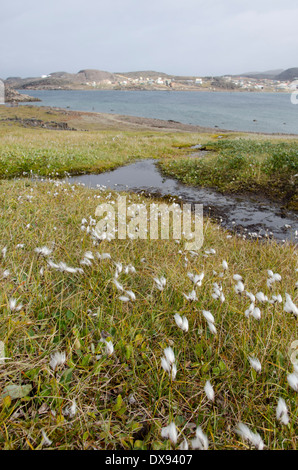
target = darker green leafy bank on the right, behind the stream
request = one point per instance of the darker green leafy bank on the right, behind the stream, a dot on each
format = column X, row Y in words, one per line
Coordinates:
column 249, row 164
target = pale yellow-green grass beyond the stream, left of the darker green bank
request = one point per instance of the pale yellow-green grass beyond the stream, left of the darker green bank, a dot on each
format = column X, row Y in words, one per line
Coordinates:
column 56, row 153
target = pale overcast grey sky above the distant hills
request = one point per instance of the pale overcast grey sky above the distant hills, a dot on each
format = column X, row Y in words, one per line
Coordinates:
column 182, row 37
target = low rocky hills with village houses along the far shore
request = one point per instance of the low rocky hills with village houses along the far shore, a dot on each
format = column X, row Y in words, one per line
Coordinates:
column 285, row 81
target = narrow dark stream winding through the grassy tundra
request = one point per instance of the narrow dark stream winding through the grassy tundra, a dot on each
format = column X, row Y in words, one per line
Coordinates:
column 249, row 216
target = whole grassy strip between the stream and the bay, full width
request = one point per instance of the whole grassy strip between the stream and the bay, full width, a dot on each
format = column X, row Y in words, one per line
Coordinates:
column 236, row 162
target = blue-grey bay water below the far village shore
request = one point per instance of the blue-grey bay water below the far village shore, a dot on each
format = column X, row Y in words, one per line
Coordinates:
column 243, row 111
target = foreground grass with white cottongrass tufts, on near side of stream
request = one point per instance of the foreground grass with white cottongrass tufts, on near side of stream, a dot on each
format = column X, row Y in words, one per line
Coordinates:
column 67, row 312
